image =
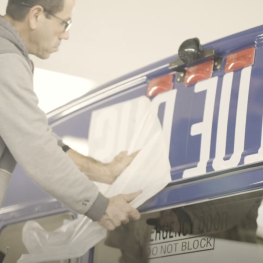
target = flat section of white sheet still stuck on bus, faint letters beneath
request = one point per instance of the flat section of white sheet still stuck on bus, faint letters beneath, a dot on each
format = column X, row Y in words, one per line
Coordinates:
column 112, row 128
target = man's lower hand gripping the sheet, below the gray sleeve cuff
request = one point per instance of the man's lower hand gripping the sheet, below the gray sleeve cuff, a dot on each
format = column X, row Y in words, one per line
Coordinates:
column 120, row 211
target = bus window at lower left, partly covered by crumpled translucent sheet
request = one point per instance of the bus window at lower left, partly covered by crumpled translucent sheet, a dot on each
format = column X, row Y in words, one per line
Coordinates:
column 11, row 236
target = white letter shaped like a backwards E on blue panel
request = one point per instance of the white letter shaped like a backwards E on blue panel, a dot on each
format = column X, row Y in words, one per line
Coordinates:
column 205, row 127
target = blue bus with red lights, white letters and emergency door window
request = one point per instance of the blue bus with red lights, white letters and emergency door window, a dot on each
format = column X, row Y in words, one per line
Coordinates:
column 207, row 99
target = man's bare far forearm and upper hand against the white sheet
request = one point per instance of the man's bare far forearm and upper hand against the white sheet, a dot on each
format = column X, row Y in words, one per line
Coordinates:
column 102, row 172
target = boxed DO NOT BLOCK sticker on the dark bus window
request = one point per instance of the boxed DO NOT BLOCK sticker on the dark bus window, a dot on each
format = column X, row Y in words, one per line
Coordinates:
column 183, row 246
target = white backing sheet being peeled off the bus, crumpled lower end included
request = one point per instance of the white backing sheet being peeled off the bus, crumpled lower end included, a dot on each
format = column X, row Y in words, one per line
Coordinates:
column 128, row 126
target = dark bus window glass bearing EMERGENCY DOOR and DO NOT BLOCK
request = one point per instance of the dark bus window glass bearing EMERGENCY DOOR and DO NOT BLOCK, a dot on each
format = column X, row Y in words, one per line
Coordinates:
column 223, row 230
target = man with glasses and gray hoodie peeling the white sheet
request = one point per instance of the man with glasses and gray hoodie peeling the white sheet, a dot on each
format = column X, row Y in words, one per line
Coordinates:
column 38, row 27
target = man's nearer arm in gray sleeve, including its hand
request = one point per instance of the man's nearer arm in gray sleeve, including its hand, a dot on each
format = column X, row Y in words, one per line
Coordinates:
column 25, row 131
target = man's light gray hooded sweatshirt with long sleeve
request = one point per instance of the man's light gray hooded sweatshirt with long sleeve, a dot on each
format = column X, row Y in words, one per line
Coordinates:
column 26, row 138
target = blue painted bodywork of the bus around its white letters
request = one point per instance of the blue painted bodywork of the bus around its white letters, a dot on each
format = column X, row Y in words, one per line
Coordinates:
column 213, row 131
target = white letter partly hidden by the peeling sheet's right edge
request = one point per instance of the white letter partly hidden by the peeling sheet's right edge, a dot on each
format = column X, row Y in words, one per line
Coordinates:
column 169, row 99
